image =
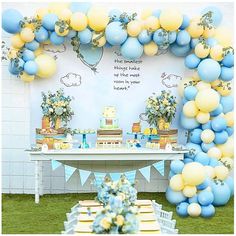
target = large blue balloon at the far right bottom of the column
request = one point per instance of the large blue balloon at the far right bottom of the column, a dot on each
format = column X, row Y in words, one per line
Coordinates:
column 221, row 192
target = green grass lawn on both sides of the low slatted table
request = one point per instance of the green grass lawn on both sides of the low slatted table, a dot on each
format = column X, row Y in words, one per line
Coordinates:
column 20, row 215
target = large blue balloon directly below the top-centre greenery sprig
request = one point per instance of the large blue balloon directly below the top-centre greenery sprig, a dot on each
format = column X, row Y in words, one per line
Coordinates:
column 116, row 35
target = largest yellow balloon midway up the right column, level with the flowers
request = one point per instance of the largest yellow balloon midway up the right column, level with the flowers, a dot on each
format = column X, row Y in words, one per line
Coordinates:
column 212, row 102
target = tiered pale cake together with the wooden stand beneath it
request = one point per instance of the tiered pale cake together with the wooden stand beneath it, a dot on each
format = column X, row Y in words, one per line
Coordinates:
column 109, row 134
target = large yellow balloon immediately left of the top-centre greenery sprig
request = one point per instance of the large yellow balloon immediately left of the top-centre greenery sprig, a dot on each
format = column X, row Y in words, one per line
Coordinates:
column 97, row 18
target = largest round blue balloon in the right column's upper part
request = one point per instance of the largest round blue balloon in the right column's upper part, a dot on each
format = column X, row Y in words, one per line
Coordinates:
column 209, row 70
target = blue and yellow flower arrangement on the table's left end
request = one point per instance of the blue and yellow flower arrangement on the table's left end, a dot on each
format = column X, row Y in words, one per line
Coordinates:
column 57, row 105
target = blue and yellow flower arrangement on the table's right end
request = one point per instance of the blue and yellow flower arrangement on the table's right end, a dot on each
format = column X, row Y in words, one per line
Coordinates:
column 159, row 108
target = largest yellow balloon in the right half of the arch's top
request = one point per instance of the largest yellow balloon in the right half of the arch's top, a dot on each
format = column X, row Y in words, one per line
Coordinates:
column 171, row 19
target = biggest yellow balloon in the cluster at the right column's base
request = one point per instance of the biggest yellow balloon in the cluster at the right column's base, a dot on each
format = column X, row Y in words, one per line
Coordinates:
column 193, row 174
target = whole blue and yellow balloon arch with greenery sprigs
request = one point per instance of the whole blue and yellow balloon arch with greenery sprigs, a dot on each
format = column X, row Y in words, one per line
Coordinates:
column 201, row 181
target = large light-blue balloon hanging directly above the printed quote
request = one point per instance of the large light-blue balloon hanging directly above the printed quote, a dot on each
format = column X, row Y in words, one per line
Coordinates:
column 132, row 49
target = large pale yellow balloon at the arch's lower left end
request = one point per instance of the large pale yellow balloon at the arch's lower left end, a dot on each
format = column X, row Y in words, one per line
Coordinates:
column 46, row 65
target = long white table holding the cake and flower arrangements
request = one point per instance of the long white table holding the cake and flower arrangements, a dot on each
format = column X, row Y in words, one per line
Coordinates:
column 97, row 154
